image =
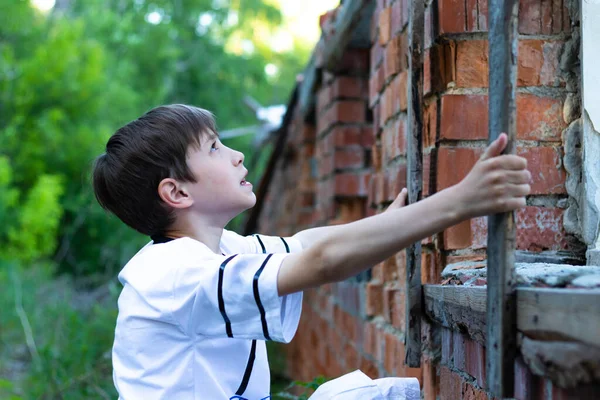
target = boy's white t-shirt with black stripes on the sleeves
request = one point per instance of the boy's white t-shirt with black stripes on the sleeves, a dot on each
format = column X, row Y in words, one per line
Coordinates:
column 192, row 324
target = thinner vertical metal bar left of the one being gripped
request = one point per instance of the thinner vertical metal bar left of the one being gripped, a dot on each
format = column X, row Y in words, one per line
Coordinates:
column 416, row 29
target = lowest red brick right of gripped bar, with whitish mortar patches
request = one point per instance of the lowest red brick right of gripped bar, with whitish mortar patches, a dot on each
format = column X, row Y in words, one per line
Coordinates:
column 540, row 228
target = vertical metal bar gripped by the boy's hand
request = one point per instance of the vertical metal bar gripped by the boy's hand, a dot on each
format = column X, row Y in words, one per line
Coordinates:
column 501, row 311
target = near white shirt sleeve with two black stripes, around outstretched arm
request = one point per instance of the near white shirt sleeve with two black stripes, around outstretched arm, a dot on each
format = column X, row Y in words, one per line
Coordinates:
column 235, row 296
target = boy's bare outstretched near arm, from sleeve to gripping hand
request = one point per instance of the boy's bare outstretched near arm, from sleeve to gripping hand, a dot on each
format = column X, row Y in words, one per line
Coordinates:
column 497, row 183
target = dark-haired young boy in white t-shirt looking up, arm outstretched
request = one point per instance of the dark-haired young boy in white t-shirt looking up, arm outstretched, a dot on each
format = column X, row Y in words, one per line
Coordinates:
column 199, row 302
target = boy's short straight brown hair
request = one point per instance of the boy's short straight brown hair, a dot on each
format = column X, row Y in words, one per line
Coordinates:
column 140, row 155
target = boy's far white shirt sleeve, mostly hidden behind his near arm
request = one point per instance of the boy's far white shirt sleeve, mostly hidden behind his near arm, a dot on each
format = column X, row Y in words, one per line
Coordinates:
column 259, row 243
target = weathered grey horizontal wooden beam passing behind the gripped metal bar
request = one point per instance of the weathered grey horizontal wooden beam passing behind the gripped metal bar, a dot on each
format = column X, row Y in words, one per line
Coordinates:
column 542, row 313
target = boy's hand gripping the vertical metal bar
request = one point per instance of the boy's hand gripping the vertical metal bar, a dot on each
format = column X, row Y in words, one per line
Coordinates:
column 497, row 183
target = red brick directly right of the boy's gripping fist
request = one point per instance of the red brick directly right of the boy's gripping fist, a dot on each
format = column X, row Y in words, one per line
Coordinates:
column 547, row 170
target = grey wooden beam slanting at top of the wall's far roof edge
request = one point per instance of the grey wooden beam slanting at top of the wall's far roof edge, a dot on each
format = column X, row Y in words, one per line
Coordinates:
column 351, row 15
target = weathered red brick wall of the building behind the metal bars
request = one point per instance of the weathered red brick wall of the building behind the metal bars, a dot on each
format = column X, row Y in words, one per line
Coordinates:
column 351, row 163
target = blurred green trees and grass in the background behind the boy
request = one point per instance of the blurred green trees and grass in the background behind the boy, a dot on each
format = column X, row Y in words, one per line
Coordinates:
column 68, row 80
